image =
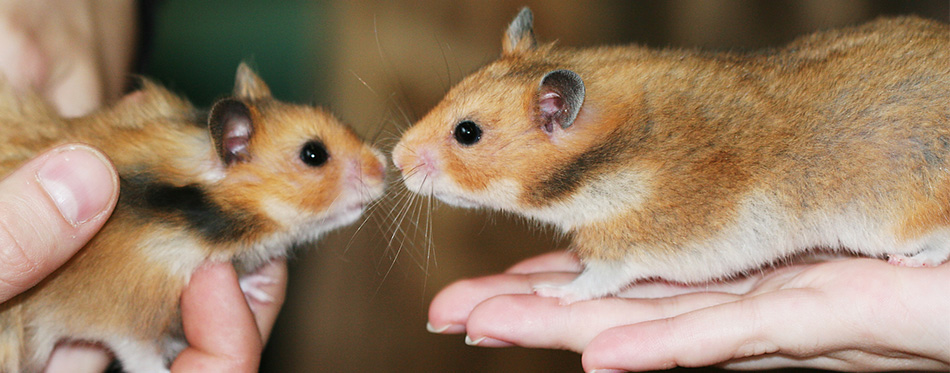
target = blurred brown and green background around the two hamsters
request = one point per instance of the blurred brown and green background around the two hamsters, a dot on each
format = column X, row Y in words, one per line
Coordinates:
column 358, row 300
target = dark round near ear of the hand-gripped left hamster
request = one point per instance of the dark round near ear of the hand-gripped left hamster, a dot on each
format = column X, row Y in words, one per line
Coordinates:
column 231, row 130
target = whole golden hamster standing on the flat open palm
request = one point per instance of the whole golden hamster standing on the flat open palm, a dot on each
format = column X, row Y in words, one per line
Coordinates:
column 692, row 166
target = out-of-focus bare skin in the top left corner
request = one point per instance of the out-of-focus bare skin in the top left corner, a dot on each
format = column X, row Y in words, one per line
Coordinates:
column 75, row 54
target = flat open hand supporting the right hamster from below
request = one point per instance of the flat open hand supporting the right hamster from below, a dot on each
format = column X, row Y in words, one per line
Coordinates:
column 852, row 314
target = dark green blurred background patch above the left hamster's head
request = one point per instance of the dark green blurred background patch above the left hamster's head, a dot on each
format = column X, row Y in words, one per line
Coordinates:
column 197, row 45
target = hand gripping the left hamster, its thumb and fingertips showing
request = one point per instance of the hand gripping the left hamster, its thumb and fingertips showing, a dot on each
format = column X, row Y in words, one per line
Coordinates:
column 41, row 226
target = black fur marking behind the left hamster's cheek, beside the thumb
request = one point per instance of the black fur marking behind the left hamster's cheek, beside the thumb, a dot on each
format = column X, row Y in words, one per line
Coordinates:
column 189, row 206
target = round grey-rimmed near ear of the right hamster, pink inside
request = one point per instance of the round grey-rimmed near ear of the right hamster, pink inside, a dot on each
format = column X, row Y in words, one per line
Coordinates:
column 560, row 98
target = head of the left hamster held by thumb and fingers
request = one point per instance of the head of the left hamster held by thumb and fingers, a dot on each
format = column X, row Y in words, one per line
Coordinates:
column 297, row 165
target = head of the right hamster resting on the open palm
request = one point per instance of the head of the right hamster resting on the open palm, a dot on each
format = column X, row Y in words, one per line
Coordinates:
column 507, row 136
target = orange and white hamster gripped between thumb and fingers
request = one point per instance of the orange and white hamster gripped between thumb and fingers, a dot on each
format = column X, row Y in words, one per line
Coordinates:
column 243, row 183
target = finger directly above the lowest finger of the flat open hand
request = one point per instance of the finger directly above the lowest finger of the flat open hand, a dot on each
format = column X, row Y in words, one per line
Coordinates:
column 538, row 322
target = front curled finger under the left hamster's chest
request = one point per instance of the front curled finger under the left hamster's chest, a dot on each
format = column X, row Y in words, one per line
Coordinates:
column 220, row 329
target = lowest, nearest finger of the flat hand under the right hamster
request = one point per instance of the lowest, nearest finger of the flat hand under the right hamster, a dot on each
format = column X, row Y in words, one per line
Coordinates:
column 741, row 329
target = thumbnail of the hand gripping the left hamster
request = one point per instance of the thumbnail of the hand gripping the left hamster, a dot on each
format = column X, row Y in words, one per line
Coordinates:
column 79, row 181
